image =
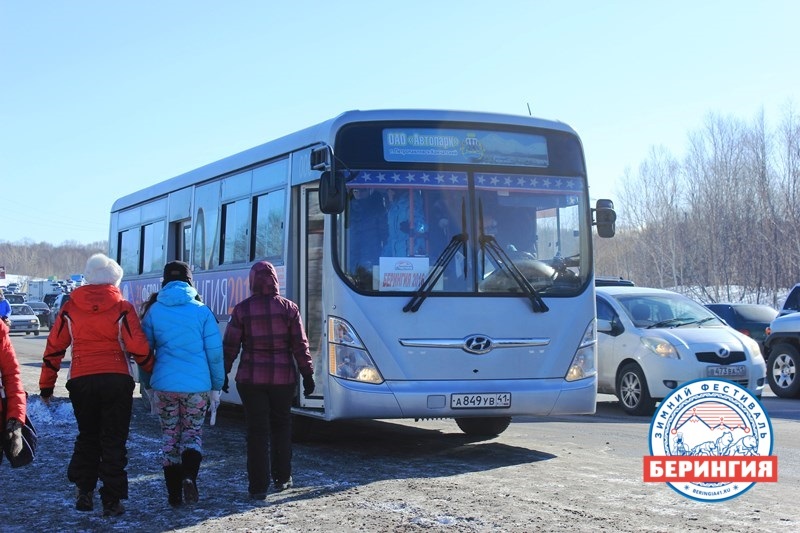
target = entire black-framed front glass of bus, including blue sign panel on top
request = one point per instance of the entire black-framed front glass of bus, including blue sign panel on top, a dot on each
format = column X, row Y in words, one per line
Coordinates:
column 511, row 205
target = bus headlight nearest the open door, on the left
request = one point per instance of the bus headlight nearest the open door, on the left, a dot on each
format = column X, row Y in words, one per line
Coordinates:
column 347, row 356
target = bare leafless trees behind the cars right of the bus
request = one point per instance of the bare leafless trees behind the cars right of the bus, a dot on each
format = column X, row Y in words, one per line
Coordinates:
column 722, row 224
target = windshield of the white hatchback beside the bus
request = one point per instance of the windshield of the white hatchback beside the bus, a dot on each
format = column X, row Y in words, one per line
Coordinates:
column 665, row 311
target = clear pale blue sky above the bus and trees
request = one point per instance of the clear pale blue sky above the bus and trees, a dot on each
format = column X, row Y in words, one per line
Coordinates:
column 101, row 98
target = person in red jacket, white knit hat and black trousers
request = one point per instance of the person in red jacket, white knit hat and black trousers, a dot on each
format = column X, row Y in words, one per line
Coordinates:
column 105, row 333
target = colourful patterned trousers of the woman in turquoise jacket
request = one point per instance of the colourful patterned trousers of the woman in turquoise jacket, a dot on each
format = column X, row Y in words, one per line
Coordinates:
column 181, row 415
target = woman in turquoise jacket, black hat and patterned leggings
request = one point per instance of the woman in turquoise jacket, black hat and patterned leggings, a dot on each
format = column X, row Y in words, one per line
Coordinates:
column 187, row 376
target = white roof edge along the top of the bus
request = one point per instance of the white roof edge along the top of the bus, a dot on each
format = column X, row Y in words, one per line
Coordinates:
column 323, row 132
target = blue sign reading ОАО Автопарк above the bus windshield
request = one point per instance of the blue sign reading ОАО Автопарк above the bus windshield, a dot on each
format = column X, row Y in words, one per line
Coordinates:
column 421, row 145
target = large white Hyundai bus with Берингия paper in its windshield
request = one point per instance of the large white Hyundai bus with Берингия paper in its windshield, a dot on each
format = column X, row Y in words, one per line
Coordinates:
column 442, row 260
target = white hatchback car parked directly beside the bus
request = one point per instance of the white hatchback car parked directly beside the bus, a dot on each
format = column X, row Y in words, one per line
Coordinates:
column 650, row 341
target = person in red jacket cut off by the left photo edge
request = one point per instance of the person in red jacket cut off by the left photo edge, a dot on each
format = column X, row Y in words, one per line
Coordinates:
column 11, row 388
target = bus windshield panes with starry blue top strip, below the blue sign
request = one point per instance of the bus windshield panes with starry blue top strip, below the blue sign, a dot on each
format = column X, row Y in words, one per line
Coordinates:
column 398, row 223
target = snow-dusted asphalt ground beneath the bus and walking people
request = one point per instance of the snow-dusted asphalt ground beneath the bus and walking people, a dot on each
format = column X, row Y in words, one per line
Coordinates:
column 572, row 473
